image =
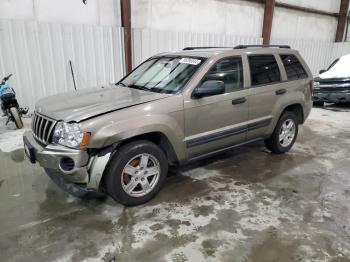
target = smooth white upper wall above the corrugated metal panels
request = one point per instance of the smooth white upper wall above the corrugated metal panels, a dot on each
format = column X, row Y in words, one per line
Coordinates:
column 232, row 17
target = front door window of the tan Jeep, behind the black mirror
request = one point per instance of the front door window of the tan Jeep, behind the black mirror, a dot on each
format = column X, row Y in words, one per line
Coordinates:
column 230, row 71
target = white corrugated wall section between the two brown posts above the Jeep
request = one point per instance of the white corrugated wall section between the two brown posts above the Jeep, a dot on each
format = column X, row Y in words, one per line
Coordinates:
column 147, row 42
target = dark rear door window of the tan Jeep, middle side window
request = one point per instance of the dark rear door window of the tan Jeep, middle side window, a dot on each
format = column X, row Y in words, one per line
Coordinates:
column 264, row 70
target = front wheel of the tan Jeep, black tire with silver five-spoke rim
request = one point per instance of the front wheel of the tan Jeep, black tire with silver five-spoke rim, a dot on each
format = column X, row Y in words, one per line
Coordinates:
column 136, row 173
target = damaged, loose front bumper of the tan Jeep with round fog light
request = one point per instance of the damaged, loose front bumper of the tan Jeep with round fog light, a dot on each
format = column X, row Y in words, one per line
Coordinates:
column 70, row 166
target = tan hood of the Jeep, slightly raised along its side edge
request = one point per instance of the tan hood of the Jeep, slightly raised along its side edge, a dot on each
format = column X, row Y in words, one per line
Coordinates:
column 87, row 103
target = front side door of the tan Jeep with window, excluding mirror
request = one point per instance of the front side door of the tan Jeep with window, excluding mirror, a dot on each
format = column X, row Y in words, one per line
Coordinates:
column 218, row 121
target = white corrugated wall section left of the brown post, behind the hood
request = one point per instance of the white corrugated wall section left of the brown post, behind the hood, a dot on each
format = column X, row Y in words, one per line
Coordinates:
column 38, row 55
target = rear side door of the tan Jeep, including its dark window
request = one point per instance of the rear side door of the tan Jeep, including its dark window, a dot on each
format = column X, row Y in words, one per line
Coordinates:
column 265, row 90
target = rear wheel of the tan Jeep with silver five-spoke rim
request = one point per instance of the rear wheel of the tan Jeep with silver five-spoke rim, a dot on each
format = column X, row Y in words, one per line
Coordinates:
column 284, row 134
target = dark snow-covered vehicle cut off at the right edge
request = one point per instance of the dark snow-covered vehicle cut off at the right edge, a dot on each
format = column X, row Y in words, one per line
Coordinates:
column 333, row 85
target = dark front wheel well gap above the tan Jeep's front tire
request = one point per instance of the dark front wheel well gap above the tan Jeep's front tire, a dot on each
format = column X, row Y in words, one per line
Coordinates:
column 159, row 139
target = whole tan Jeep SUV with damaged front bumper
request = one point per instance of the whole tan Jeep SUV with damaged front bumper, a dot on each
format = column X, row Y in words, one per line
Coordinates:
column 172, row 109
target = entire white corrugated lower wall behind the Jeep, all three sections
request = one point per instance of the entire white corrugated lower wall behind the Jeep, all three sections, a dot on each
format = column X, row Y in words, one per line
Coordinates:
column 38, row 53
